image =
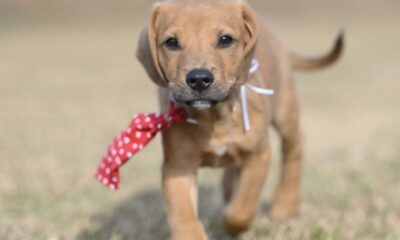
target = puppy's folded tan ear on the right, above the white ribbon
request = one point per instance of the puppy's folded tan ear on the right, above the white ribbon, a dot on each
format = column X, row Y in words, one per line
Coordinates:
column 251, row 36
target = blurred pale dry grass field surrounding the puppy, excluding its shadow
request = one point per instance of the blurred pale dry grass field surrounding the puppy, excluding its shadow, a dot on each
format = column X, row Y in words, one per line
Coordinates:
column 69, row 81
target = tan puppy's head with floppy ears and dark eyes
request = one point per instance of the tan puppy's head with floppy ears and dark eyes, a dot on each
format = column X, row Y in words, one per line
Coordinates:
column 200, row 50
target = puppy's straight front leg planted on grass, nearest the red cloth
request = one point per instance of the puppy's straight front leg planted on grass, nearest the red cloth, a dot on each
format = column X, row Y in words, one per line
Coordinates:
column 180, row 185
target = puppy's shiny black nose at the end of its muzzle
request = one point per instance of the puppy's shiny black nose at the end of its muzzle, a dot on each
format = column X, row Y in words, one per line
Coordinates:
column 199, row 79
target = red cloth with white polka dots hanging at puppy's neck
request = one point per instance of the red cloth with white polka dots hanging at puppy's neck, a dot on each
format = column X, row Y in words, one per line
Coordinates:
column 143, row 128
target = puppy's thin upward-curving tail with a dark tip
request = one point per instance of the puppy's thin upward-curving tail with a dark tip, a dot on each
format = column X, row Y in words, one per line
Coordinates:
column 320, row 62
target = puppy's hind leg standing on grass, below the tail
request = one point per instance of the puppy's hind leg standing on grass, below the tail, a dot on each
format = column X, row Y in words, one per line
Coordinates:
column 286, row 121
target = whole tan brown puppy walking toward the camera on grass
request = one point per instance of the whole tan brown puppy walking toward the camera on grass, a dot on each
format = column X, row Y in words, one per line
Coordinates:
column 200, row 52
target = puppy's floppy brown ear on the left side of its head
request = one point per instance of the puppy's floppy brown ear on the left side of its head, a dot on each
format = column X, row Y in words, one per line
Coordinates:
column 147, row 51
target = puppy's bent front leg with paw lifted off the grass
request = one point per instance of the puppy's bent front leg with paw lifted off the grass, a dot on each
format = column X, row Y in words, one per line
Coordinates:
column 241, row 210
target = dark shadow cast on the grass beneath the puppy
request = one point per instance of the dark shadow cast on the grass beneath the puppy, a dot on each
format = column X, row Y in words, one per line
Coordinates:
column 143, row 217
